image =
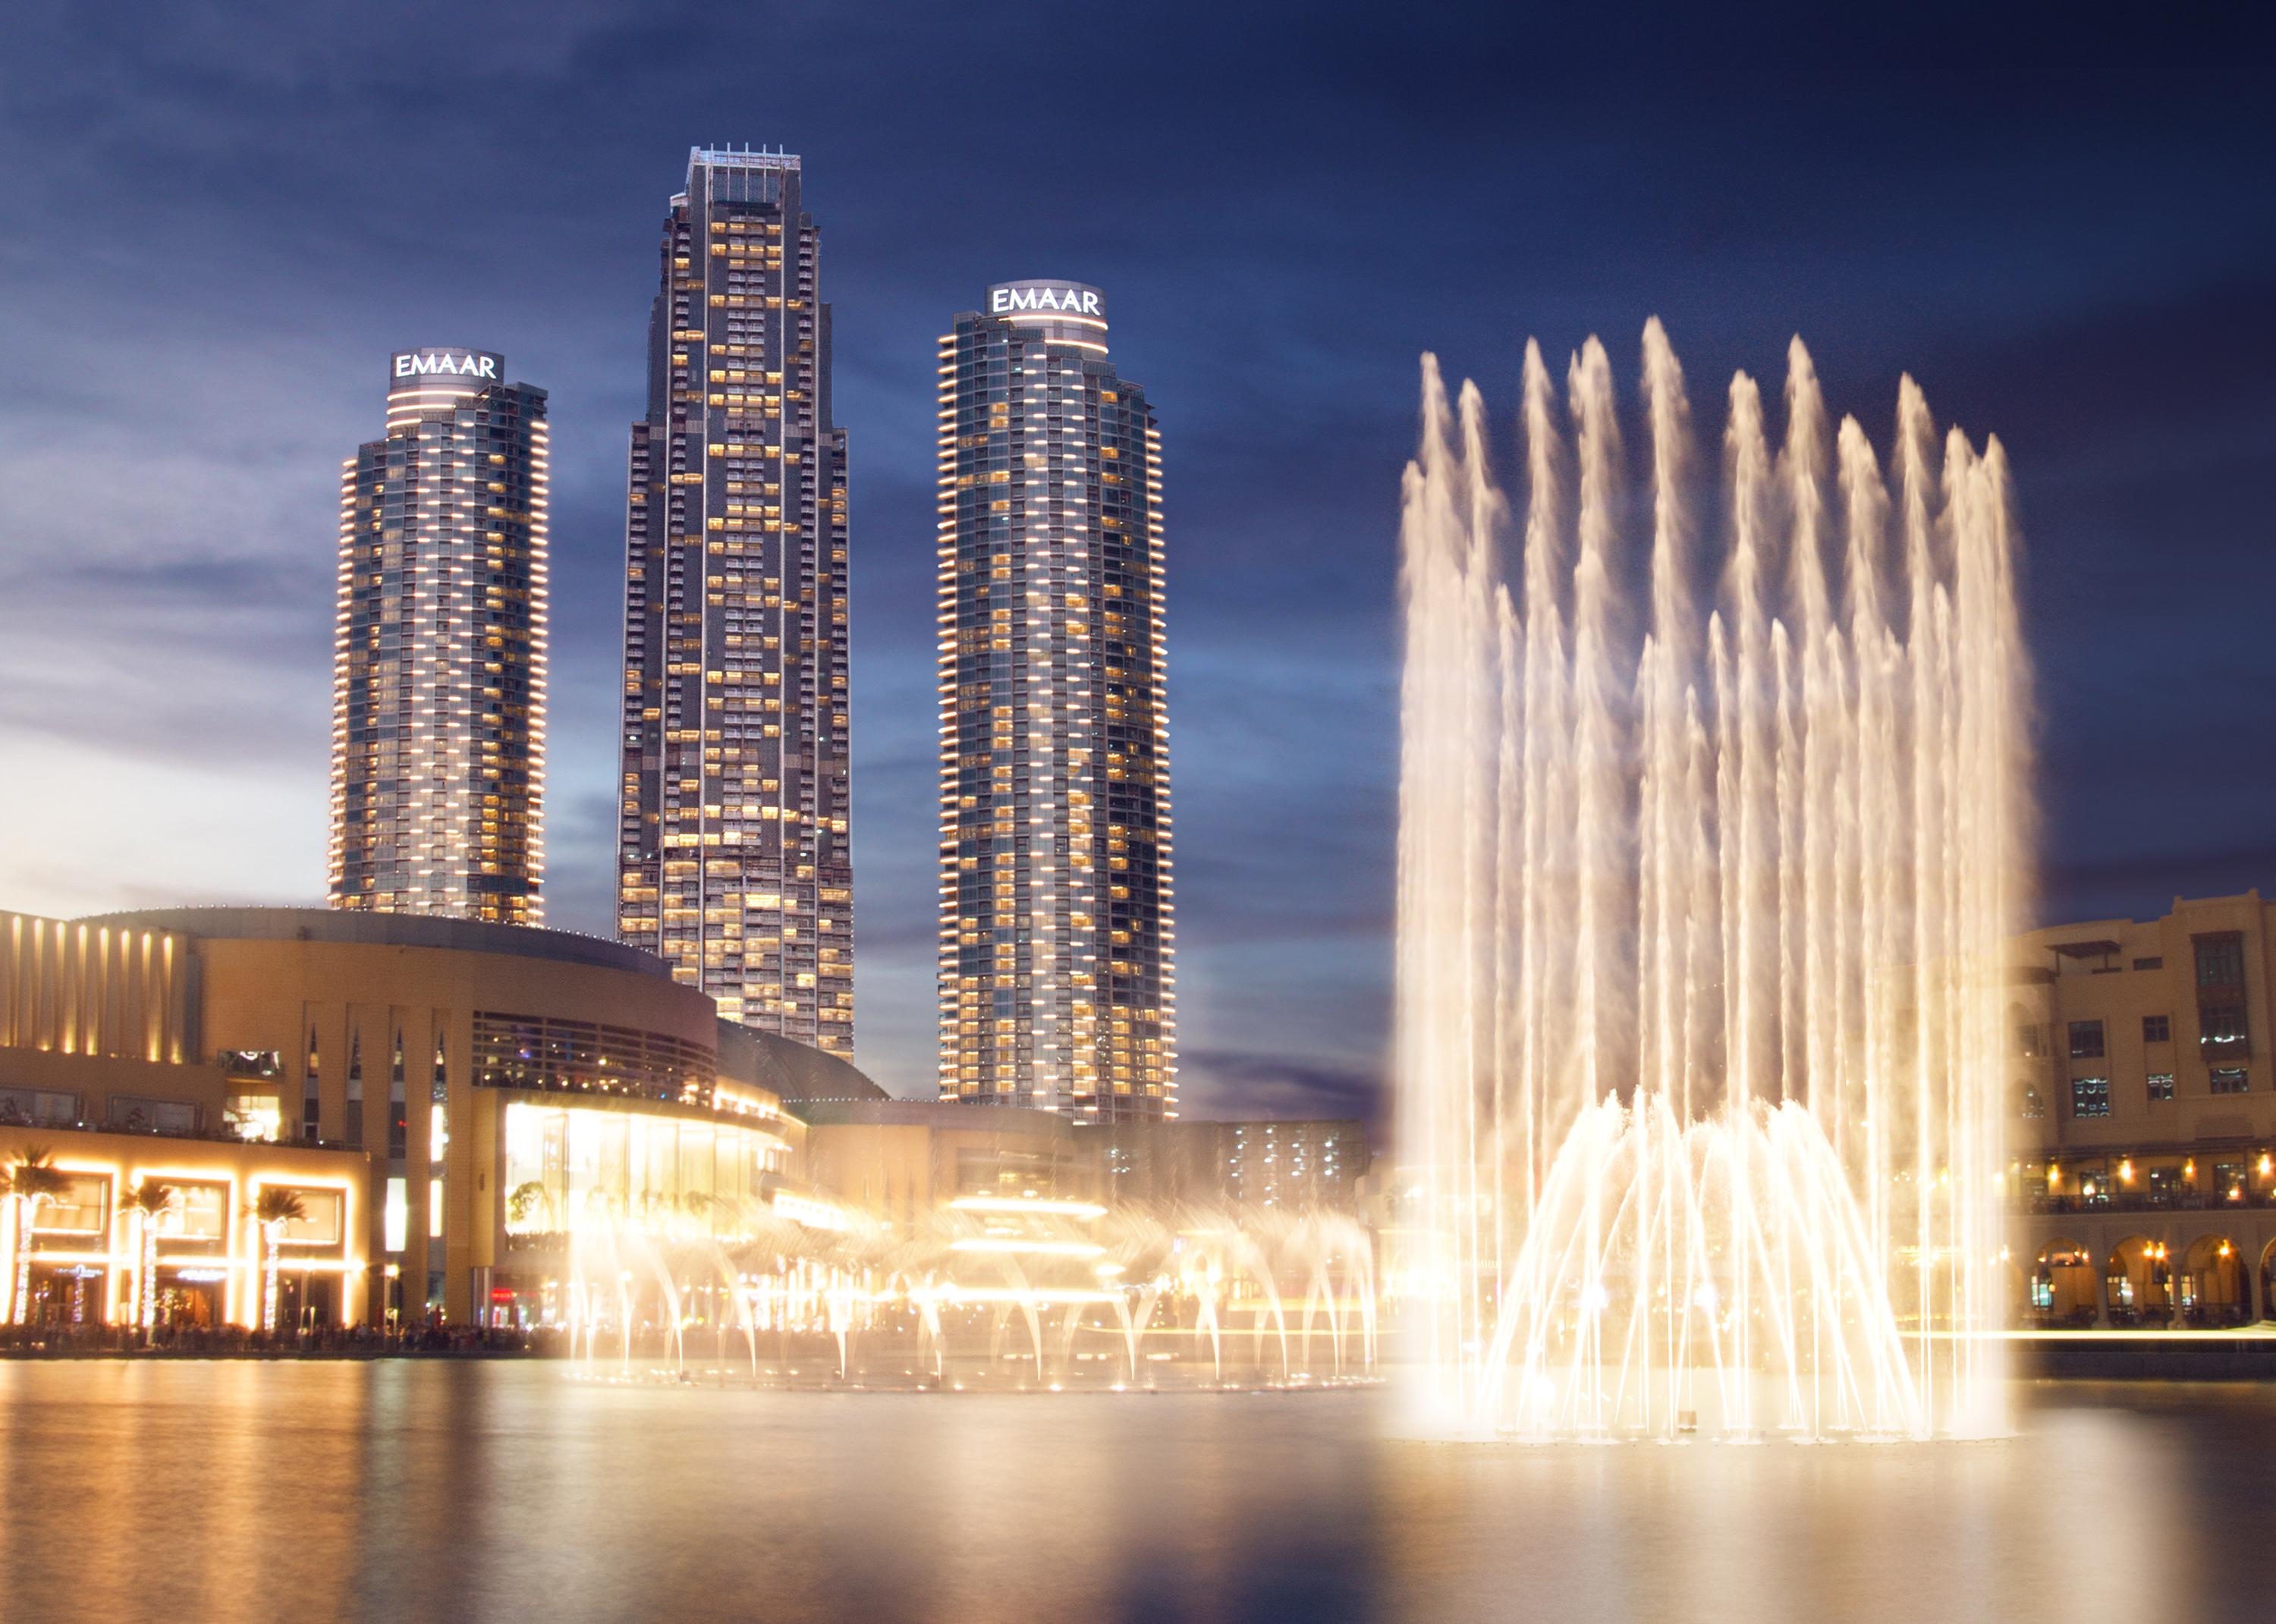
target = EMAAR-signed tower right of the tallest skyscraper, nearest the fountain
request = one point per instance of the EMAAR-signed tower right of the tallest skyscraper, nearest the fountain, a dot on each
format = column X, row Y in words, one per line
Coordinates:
column 1055, row 747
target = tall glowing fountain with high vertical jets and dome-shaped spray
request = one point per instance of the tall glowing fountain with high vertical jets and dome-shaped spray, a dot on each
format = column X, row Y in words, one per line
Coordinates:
column 1704, row 877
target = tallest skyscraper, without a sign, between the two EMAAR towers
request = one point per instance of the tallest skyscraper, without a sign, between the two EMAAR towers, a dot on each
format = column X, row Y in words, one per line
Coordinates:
column 734, row 859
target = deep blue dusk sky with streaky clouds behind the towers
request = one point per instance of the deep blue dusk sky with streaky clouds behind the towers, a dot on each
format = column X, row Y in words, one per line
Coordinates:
column 224, row 219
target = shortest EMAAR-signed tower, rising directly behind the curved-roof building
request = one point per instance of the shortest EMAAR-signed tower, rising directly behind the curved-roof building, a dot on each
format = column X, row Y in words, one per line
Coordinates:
column 440, row 647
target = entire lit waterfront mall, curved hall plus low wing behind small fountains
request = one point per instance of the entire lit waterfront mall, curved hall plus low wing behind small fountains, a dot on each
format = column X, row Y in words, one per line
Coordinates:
column 481, row 1122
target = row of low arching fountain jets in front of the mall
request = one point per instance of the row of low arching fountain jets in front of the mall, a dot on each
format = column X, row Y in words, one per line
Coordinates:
column 1003, row 1291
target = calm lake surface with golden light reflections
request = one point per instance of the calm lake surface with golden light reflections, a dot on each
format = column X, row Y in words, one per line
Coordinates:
column 431, row 1491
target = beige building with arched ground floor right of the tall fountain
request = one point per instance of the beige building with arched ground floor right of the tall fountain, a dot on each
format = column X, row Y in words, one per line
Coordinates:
column 2145, row 1118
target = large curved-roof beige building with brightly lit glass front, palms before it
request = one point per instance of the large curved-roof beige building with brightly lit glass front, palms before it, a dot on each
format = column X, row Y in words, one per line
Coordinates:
column 443, row 1093
